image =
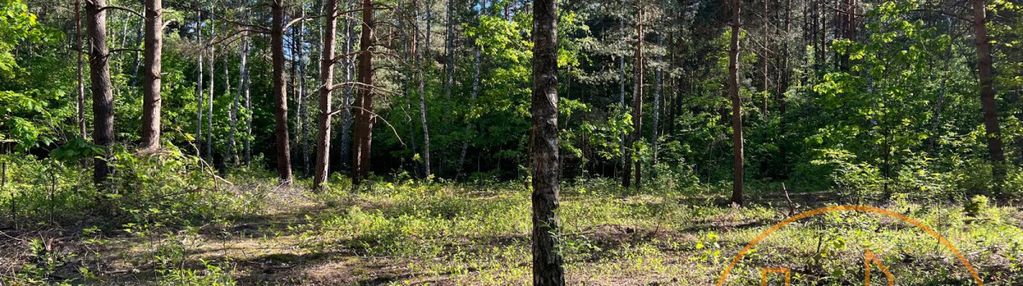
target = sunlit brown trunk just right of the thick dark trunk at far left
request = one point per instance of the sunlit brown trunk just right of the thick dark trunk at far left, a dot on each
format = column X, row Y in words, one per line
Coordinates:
column 151, row 79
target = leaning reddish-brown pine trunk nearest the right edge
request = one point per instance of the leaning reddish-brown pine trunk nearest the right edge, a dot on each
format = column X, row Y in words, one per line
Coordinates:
column 988, row 103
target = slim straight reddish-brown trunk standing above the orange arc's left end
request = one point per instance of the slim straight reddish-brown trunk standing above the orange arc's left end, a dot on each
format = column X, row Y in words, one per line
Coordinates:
column 737, row 113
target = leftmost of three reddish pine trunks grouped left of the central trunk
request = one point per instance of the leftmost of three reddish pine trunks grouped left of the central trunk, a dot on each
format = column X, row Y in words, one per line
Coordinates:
column 281, row 92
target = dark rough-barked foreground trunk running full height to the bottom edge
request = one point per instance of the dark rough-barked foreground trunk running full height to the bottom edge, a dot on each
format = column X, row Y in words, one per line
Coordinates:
column 548, row 269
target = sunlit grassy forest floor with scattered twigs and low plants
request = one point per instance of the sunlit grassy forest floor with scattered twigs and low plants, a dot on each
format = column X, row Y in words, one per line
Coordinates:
column 399, row 234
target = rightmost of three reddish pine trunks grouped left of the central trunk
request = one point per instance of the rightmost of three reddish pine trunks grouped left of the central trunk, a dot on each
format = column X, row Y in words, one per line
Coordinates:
column 364, row 115
